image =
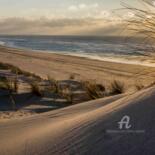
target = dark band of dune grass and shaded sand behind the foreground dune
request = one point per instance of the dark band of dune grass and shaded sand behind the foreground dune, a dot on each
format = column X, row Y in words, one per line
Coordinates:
column 15, row 82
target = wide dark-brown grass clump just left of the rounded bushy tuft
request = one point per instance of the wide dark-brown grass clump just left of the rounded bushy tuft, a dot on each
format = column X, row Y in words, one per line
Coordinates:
column 94, row 90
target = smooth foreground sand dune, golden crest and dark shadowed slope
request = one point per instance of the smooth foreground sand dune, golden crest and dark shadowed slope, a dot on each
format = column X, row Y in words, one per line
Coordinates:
column 83, row 129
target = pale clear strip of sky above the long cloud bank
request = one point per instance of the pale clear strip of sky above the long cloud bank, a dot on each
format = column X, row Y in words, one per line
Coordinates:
column 9, row 8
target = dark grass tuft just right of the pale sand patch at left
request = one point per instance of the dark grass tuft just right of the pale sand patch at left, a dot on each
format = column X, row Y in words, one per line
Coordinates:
column 36, row 89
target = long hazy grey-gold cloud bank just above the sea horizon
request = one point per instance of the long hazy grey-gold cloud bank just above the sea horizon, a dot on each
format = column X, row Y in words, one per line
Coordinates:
column 64, row 26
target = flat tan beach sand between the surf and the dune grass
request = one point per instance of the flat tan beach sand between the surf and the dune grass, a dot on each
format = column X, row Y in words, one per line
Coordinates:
column 61, row 67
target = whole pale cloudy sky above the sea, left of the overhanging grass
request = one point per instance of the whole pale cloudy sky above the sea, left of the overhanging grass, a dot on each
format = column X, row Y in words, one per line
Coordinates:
column 59, row 17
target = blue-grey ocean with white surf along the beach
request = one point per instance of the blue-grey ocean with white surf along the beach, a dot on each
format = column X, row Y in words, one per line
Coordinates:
column 101, row 48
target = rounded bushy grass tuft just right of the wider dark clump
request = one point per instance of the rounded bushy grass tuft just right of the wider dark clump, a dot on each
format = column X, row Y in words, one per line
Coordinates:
column 117, row 87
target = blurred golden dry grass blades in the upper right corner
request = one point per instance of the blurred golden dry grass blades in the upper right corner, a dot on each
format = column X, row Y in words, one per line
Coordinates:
column 142, row 23
